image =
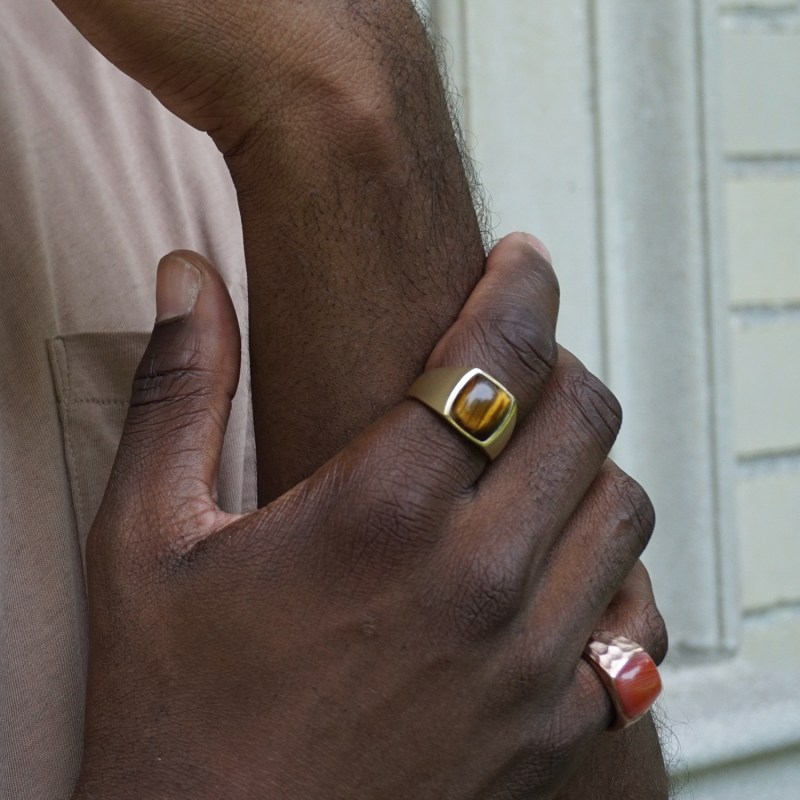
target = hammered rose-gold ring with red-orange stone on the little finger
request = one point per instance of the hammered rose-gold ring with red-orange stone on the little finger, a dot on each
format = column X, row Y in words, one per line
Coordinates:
column 628, row 673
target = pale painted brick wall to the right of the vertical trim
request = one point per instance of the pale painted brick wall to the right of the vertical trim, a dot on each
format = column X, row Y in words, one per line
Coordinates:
column 760, row 67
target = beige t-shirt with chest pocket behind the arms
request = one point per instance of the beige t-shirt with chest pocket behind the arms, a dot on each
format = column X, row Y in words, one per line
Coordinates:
column 98, row 181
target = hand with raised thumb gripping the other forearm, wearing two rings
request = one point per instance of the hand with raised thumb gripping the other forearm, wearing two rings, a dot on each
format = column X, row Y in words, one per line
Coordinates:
column 407, row 622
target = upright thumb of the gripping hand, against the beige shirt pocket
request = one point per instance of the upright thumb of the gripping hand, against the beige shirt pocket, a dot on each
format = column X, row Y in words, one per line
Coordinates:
column 168, row 459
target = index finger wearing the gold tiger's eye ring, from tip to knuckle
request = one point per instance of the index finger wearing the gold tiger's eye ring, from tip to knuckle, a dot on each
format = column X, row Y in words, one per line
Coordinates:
column 394, row 484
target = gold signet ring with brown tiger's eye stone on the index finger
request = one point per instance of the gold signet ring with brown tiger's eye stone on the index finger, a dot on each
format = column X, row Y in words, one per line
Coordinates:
column 473, row 402
